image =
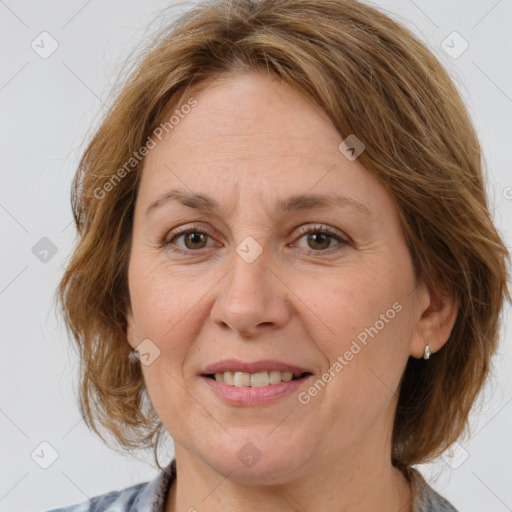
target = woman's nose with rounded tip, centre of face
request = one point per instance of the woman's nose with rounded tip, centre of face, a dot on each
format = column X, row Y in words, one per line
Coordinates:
column 253, row 299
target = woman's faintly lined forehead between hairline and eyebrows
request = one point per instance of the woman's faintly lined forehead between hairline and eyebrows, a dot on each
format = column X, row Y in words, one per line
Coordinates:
column 252, row 134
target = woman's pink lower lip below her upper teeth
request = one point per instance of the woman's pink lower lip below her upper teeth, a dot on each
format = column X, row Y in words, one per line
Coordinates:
column 249, row 396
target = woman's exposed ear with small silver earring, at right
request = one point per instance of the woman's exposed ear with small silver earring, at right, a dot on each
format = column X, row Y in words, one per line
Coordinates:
column 438, row 311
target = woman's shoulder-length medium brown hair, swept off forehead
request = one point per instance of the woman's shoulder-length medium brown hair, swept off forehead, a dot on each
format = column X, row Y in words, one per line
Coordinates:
column 375, row 80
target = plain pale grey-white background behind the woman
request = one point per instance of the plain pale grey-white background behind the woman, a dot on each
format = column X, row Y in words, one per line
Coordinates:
column 49, row 107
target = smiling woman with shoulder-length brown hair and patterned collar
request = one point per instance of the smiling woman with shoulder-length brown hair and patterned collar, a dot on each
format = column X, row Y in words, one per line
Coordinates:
column 286, row 261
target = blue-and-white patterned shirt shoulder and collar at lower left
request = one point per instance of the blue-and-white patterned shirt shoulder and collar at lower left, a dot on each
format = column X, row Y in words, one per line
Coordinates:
column 143, row 497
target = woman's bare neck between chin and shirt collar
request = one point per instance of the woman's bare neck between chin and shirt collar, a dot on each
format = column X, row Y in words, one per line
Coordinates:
column 327, row 484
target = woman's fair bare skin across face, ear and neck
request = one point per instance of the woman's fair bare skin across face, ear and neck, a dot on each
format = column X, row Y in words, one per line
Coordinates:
column 250, row 142
